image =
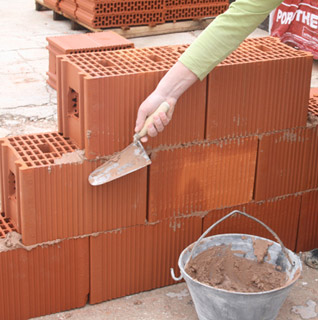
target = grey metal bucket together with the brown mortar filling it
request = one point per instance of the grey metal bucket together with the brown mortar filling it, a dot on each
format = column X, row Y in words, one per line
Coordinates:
column 222, row 294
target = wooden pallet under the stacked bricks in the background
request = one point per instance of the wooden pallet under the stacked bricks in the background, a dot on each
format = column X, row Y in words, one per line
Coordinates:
column 132, row 32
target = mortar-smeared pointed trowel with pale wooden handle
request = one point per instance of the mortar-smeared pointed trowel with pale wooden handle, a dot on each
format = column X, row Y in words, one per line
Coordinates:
column 132, row 158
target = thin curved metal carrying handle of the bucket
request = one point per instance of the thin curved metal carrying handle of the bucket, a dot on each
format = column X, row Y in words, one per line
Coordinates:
column 292, row 263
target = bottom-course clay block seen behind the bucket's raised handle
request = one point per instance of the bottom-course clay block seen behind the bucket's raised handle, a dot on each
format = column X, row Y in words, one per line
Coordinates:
column 281, row 215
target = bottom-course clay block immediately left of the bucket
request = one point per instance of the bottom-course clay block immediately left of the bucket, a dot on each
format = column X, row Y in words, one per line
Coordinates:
column 138, row 258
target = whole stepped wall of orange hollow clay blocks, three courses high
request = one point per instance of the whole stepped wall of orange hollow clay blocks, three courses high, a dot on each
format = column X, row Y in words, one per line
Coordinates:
column 238, row 139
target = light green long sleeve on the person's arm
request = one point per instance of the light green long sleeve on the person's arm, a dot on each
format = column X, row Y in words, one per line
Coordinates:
column 225, row 34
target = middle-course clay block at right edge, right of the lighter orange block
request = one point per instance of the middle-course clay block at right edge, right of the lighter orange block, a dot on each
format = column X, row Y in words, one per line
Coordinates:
column 287, row 163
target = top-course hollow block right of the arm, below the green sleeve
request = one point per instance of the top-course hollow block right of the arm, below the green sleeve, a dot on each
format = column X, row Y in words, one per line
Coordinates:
column 263, row 86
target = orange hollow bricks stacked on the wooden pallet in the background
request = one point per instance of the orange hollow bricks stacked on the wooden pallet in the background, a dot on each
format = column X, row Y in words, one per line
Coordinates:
column 123, row 13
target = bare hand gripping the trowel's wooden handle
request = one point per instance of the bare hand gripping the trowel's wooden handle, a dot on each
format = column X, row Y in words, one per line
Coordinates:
column 148, row 107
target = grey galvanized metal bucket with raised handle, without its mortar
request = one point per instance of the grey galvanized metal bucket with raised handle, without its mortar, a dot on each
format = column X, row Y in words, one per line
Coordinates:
column 217, row 304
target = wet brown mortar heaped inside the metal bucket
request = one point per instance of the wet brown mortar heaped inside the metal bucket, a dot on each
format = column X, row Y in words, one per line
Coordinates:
column 219, row 267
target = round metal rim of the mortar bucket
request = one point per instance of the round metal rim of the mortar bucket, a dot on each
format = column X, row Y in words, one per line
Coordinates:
column 290, row 282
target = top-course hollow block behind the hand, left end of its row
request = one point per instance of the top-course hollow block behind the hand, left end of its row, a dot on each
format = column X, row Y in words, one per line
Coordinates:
column 99, row 94
